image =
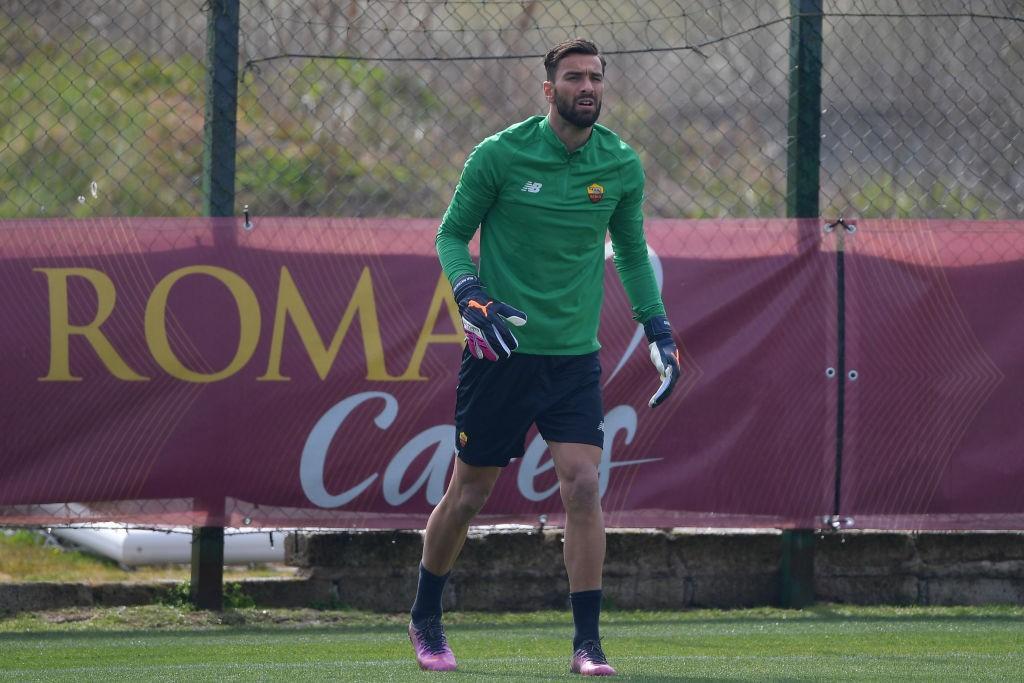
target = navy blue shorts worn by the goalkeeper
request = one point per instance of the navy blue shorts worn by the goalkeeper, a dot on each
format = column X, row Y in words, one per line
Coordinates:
column 497, row 403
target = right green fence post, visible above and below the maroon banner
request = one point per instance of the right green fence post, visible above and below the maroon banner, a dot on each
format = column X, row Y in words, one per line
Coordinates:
column 803, row 189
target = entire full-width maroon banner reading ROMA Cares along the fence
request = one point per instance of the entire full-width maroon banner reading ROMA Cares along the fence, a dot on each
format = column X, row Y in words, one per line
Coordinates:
column 303, row 374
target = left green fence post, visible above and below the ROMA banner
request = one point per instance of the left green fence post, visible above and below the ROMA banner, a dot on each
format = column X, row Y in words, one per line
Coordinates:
column 206, row 590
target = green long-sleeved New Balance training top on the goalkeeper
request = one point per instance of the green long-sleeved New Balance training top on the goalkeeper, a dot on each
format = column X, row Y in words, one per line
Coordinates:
column 543, row 215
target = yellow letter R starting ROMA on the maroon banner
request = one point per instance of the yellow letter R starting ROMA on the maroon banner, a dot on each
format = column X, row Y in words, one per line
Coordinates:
column 62, row 329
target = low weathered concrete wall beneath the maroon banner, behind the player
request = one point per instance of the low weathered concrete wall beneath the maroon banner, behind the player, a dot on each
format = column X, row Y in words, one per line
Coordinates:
column 671, row 570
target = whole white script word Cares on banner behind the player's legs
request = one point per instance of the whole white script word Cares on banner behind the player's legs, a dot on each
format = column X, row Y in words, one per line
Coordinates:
column 442, row 439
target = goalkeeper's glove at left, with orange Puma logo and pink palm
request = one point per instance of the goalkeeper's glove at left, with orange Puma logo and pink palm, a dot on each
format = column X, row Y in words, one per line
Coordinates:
column 488, row 336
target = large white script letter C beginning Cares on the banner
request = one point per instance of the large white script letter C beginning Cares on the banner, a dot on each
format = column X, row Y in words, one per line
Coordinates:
column 315, row 453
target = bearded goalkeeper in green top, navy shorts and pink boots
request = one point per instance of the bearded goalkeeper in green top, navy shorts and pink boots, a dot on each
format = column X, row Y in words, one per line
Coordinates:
column 544, row 194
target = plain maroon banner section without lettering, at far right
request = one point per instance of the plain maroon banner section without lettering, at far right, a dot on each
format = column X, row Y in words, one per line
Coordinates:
column 935, row 417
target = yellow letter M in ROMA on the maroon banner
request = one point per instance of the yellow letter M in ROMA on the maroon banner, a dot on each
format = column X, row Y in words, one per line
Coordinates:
column 291, row 307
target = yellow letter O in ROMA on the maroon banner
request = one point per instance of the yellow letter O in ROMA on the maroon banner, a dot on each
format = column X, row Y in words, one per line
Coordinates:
column 156, row 323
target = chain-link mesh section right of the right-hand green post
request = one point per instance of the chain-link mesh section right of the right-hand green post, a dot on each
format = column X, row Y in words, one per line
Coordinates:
column 922, row 113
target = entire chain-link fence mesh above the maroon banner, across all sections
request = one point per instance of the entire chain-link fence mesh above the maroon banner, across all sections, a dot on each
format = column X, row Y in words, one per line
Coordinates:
column 369, row 108
